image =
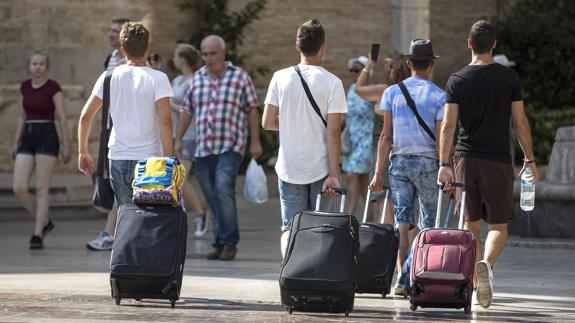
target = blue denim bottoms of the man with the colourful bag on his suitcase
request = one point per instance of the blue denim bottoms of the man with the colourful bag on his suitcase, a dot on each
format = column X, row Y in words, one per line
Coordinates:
column 121, row 178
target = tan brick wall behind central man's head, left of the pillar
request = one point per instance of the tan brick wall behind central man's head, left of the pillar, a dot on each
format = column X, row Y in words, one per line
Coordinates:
column 351, row 27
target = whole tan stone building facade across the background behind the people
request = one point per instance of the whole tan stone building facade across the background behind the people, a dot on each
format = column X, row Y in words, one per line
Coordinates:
column 74, row 34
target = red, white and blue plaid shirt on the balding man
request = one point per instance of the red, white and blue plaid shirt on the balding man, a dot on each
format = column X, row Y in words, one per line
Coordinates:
column 221, row 108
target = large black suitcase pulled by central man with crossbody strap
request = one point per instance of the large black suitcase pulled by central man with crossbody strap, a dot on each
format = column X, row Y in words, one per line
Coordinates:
column 320, row 266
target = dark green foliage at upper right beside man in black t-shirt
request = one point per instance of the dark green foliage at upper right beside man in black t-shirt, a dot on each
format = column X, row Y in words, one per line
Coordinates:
column 538, row 36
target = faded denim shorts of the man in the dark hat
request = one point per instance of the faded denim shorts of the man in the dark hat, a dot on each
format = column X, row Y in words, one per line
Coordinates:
column 411, row 175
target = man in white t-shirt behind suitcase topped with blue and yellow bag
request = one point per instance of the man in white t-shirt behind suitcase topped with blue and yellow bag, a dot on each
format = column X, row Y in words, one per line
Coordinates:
column 140, row 111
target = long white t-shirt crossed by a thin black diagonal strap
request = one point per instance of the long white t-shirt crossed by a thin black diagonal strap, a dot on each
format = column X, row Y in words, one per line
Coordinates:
column 302, row 157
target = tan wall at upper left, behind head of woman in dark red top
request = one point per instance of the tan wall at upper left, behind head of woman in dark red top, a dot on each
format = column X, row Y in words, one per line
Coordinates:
column 74, row 34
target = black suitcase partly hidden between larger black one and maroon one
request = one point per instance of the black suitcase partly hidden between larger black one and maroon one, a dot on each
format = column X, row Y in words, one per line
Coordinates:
column 378, row 248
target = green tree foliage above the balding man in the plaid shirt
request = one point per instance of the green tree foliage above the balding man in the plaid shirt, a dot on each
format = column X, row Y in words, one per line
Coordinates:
column 216, row 18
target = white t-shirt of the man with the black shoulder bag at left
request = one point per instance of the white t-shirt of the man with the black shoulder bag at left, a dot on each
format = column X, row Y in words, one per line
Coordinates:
column 134, row 91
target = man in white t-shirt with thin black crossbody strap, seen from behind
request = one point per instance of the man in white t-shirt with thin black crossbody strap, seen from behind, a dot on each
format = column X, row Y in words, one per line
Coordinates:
column 308, row 159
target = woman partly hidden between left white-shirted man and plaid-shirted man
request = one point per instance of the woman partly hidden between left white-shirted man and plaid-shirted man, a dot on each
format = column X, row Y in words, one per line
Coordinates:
column 185, row 60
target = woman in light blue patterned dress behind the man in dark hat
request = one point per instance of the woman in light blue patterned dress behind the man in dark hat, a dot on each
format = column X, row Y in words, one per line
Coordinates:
column 359, row 124
